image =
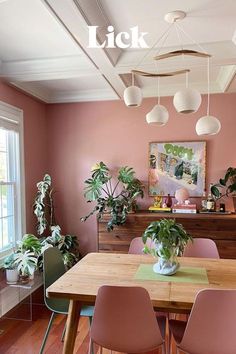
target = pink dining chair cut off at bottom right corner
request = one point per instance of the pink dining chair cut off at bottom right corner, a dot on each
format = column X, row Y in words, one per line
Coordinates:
column 211, row 325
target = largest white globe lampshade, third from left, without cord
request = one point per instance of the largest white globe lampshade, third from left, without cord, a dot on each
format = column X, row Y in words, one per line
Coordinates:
column 187, row 100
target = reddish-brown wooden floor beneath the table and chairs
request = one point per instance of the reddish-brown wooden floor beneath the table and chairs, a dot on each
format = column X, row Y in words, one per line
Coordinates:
column 25, row 337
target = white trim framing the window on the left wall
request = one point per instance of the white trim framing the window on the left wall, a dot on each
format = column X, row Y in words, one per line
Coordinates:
column 11, row 118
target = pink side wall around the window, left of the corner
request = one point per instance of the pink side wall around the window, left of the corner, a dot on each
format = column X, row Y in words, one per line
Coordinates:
column 35, row 132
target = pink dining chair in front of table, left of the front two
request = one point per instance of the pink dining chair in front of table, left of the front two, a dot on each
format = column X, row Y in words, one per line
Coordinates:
column 124, row 321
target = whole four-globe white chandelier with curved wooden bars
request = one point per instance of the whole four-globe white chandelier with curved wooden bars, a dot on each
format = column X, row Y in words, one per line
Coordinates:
column 187, row 100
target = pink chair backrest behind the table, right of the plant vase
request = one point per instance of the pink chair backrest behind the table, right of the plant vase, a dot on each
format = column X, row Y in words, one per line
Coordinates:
column 201, row 248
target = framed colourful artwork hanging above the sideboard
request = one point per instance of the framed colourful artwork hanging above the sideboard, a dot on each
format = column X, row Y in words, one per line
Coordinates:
column 174, row 165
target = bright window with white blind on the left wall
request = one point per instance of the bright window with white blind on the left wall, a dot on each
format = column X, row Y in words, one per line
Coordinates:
column 12, row 211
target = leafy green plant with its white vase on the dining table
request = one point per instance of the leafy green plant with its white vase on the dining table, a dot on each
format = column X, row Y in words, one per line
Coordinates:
column 169, row 239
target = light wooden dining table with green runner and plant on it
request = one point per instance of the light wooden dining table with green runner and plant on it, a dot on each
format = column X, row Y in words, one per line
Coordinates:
column 81, row 283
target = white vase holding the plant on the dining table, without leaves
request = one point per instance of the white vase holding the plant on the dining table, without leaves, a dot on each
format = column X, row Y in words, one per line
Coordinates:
column 166, row 266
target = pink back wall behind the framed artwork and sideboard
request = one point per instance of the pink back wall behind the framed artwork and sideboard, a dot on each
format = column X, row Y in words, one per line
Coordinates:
column 84, row 133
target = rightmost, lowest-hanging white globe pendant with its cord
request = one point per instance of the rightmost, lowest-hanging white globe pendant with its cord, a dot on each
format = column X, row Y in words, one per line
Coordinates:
column 208, row 125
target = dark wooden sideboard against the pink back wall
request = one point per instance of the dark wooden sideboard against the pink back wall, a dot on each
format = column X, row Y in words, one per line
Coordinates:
column 220, row 228
